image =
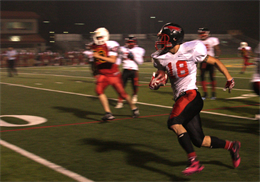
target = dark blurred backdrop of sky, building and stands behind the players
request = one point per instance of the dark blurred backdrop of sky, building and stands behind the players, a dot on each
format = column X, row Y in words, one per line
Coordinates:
column 65, row 25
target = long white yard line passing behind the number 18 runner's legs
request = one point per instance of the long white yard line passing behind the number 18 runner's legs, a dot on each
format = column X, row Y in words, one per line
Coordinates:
column 142, row 103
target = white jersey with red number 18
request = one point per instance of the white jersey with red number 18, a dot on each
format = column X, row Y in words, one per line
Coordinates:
column 182, row 66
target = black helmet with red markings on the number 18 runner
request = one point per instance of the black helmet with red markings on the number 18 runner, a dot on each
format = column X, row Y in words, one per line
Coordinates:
column 170, row 35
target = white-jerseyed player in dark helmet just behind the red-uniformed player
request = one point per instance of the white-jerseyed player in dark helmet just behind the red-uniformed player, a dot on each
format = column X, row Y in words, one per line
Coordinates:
column 131, row 56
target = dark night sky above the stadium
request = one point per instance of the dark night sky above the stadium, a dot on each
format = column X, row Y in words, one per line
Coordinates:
column 119, row 16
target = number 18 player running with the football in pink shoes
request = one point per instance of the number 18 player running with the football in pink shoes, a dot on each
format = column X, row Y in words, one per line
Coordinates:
column 179, row 61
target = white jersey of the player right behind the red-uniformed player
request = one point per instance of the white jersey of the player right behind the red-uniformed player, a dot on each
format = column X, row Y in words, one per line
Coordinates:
column 138, row 54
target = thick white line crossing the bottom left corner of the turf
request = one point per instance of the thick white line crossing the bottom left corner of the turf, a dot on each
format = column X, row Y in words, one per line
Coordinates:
column 44, row 162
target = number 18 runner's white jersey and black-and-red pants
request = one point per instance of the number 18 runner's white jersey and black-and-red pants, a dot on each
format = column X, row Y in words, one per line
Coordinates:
column 181, row 68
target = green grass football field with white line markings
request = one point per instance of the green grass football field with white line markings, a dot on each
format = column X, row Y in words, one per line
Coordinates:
column 51, row 130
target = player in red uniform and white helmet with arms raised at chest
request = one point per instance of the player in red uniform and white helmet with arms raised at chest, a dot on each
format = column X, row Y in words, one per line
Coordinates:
column 103, row 55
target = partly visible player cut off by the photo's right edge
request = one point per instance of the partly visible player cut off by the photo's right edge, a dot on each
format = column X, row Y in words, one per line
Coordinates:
column 256, row 77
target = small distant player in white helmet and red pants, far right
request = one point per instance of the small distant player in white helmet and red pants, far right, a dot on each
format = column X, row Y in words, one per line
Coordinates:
column 246, row 53
